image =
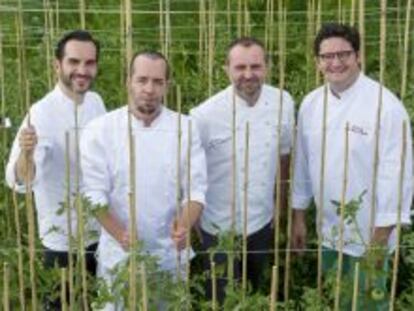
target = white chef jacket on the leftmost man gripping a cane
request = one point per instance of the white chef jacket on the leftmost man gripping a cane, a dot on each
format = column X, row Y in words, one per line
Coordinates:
column 52, row 117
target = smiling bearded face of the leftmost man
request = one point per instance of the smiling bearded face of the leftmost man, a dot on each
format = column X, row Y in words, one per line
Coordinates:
column 78, row 67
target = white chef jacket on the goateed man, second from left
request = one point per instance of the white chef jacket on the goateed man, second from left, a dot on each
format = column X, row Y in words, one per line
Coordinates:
column 105, row 167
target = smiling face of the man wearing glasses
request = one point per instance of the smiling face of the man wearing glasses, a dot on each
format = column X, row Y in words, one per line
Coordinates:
column 338, row 61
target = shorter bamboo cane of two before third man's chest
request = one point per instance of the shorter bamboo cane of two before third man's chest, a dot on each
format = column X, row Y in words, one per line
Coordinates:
column 245, row 210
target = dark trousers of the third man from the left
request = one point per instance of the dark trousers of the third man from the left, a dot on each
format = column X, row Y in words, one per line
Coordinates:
column 258, row 255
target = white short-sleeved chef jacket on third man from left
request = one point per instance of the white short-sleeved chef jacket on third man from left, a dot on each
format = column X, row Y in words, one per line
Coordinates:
column 214, row 119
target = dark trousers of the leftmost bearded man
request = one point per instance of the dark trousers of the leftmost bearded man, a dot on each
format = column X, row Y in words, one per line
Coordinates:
column 52, row 259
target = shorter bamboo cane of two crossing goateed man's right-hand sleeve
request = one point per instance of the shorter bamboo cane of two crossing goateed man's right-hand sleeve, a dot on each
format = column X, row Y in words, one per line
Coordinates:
column 188, row 237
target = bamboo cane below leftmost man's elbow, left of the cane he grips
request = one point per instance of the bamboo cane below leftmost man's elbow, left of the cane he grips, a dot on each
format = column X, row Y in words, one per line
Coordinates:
column 19, row 252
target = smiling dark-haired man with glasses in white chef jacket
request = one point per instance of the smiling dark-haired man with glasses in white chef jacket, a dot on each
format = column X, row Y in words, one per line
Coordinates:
column 352, row 102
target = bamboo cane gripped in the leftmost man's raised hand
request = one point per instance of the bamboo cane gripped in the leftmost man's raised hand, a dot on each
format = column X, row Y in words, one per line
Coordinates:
column 30, row 214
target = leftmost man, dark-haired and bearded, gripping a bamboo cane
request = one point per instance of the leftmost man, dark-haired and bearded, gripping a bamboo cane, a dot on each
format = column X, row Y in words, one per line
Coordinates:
column 39, row 151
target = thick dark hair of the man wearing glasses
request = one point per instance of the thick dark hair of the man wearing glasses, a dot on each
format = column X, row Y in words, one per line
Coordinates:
column 336, row 30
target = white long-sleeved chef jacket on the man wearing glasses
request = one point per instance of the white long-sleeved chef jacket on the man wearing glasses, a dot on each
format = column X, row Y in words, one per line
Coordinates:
column 357, row 106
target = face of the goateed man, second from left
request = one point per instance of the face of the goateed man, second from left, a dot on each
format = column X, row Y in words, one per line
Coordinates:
column 147, row 84
